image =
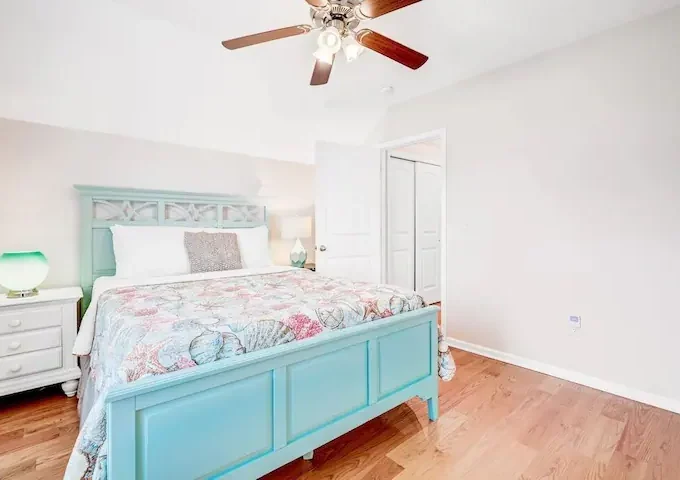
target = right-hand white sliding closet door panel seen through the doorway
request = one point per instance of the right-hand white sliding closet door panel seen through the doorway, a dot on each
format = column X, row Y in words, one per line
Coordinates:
column 428, row 231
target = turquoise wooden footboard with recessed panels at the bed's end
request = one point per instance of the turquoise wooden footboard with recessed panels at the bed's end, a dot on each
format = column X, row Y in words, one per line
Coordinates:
column 244, row 417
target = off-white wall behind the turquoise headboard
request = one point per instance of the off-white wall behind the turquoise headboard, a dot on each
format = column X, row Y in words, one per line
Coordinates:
column 40, row 164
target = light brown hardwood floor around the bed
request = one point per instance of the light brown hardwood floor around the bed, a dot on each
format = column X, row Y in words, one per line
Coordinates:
column 497, row 421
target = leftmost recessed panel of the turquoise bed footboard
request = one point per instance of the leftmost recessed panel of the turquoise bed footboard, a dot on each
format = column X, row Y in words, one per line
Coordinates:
column 236, row 417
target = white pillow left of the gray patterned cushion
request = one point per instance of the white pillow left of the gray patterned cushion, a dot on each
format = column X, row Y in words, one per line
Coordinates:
column 149, row 251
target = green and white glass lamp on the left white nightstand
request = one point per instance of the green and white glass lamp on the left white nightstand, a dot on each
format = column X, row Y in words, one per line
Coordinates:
column 22, row 272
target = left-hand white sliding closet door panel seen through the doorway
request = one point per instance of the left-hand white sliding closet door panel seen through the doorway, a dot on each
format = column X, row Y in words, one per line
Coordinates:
column 401, row 222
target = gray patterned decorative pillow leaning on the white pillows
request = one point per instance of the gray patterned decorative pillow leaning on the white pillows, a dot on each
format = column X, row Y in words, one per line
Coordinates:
column 212, row 252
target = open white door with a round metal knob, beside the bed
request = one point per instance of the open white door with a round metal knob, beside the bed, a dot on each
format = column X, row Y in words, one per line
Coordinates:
column 348, row 224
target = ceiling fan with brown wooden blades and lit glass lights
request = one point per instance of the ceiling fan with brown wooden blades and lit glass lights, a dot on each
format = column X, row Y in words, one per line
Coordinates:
column 337, row 20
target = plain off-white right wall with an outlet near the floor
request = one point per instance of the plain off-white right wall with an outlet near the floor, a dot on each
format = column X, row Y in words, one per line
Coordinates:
column 564, row 199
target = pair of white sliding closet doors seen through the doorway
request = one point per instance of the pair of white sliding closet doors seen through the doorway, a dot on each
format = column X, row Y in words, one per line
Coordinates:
column 414, row 191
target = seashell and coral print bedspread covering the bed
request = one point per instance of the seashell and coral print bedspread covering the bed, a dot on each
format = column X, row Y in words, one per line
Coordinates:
column 154, row 329
